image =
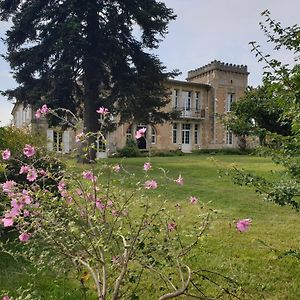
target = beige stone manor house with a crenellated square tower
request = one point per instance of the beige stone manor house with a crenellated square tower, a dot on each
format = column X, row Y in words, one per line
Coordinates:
column 208, row 91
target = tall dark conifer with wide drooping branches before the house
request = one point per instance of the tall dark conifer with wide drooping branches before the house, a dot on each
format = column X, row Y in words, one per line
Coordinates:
column 81, row 55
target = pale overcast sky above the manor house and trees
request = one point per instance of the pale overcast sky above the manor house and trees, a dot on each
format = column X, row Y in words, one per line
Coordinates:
column 204, row 30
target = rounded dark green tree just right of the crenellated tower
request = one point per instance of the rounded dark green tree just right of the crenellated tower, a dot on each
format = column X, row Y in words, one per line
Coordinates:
column 257, row 114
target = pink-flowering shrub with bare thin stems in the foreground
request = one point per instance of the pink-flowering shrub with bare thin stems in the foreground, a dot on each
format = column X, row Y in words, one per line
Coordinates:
column 115, row 239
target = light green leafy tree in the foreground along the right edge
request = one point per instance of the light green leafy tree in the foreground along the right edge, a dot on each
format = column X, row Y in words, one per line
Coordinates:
column 285, row 83
